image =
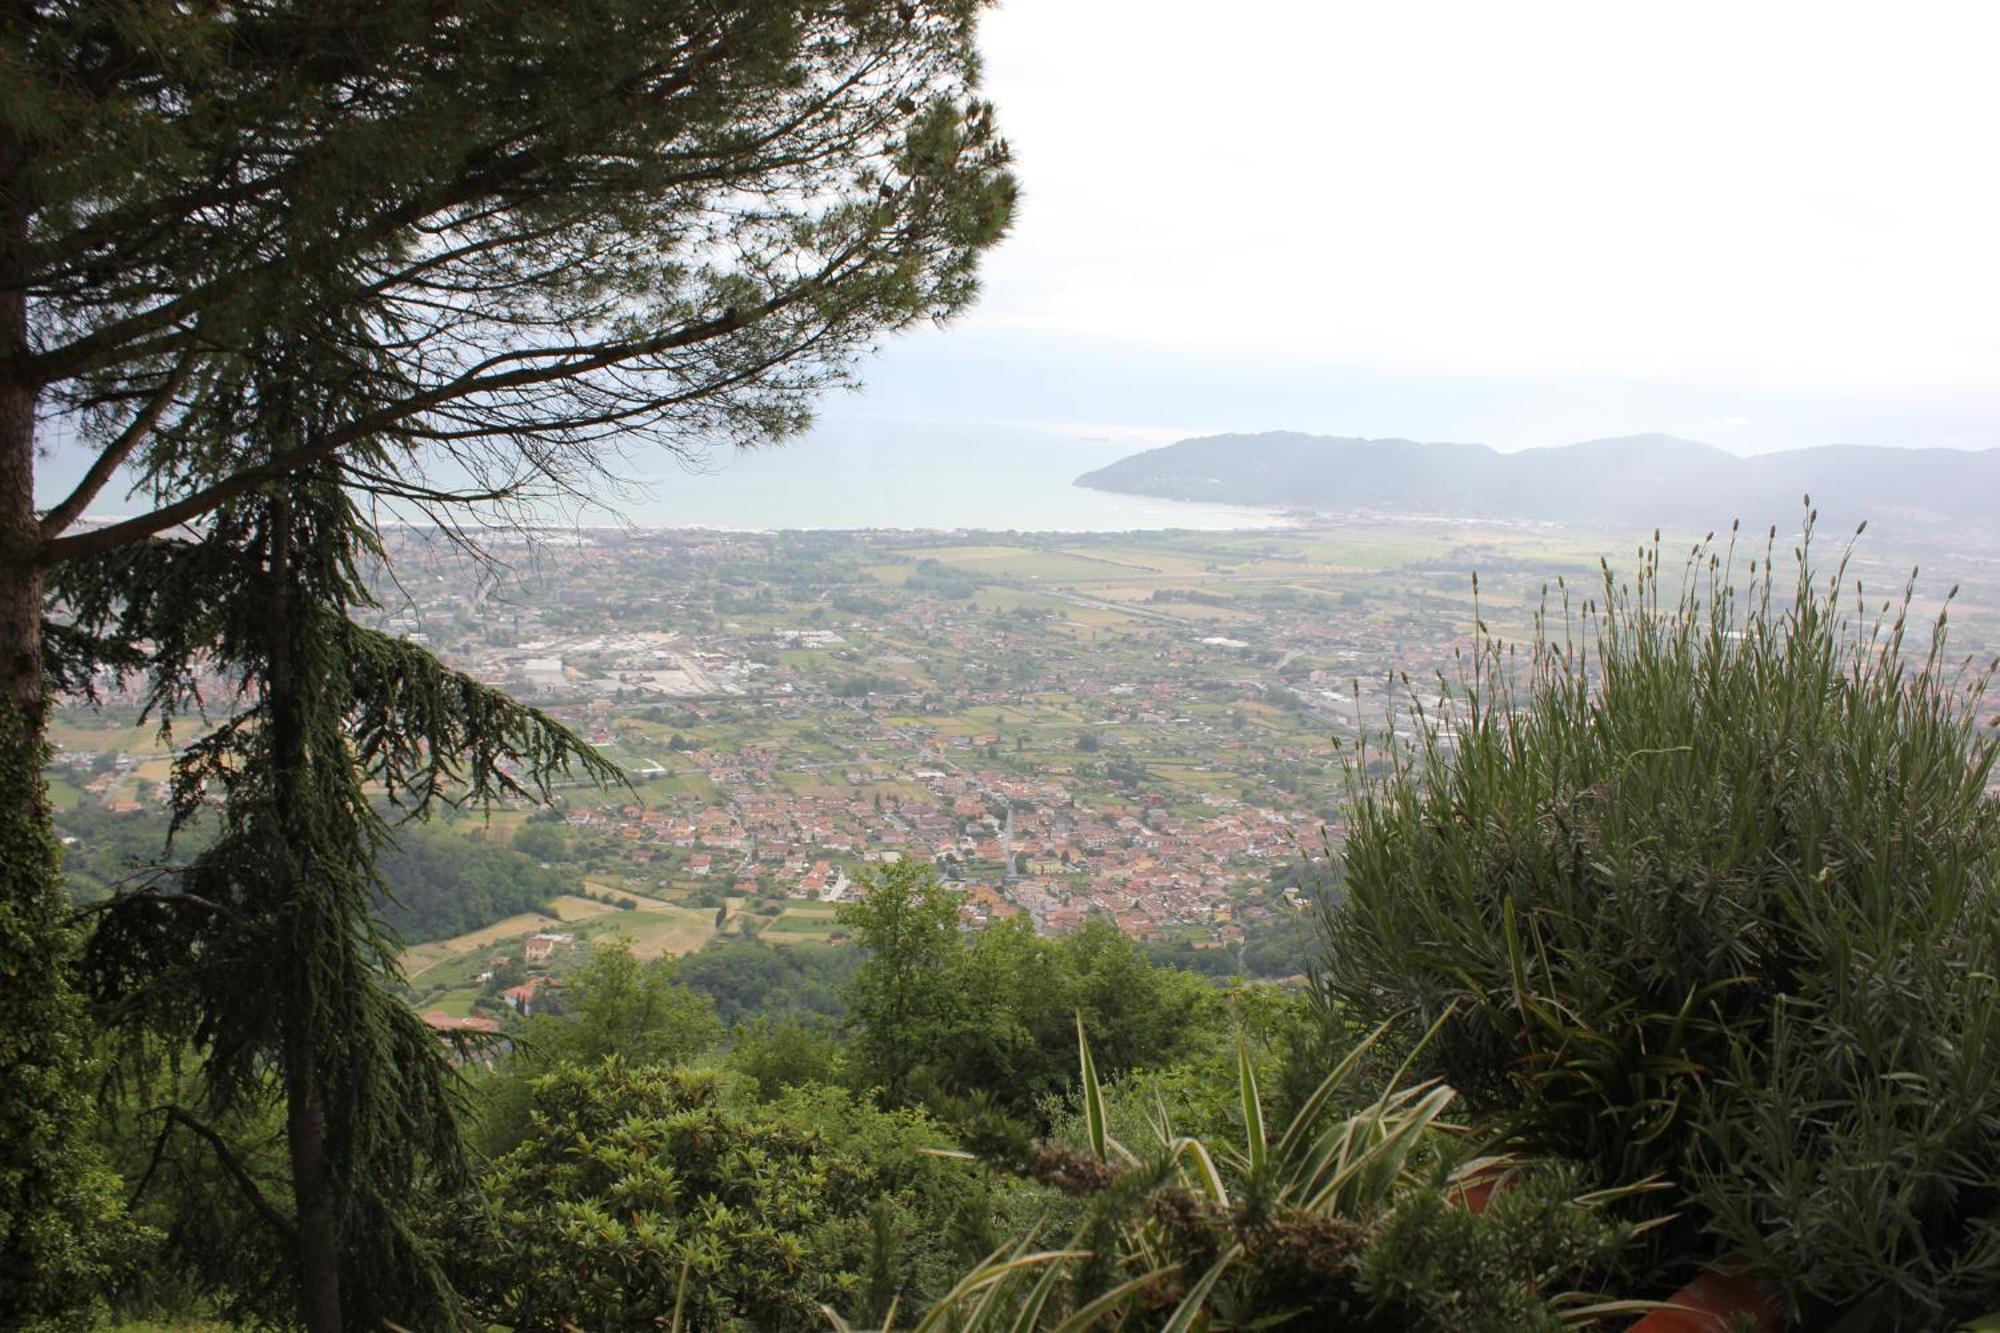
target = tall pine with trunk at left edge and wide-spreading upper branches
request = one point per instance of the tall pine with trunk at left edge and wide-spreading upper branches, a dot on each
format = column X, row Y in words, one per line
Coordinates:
column 527, row 229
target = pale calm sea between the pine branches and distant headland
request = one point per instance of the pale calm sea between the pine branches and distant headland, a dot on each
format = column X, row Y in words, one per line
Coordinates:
column 917, row 475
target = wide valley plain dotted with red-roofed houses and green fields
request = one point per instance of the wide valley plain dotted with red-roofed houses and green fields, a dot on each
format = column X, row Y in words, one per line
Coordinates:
column 1153, row 730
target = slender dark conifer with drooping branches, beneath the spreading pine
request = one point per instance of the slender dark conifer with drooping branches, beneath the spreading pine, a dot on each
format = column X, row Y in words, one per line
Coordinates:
column 265, row 954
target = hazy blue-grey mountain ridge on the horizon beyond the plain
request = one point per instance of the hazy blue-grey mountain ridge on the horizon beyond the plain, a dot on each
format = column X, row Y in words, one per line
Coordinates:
column 1645, row 479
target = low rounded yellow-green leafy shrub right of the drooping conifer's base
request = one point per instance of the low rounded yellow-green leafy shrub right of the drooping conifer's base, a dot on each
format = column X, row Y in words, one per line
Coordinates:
column 643, row 1192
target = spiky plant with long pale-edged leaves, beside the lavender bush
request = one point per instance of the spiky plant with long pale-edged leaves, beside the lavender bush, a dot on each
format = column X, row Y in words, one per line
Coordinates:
column 1331, row 1222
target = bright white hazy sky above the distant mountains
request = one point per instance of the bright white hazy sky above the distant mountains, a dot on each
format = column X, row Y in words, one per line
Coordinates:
column 1761, row 225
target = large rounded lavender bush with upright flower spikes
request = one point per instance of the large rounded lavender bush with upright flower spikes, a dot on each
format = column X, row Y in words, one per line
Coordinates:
column 1713, row 896
